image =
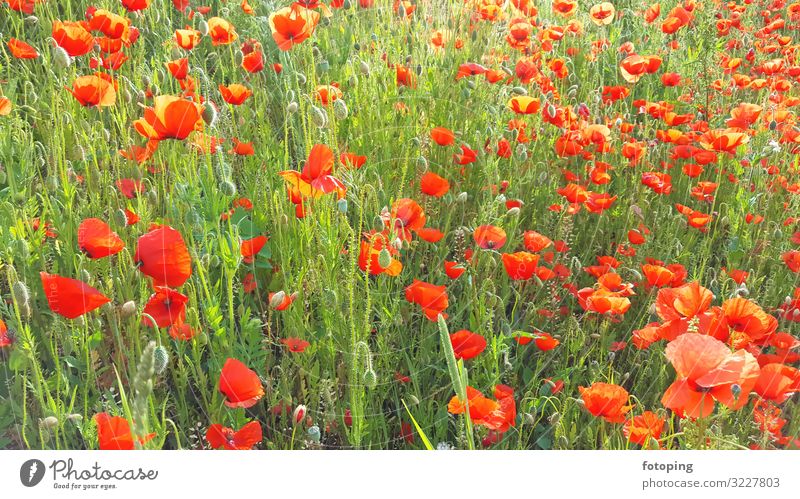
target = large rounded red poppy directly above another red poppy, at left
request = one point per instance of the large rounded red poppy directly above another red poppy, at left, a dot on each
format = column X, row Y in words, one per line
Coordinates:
column 162, row 255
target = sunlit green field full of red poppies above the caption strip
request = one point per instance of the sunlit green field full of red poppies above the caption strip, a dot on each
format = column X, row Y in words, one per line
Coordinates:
column 393, row 224
